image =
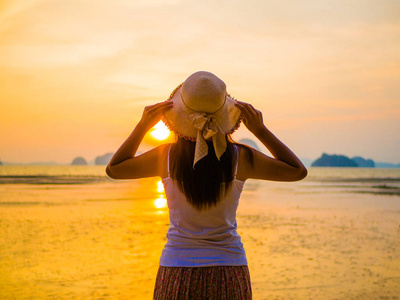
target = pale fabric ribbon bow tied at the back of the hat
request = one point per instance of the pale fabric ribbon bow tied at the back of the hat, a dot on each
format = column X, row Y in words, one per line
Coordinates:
column 207, row 127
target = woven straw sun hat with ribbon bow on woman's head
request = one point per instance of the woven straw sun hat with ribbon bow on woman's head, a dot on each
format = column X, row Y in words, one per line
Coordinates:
column 203, row 110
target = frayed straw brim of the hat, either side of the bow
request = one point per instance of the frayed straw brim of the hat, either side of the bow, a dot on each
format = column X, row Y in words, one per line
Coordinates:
column 176, row 119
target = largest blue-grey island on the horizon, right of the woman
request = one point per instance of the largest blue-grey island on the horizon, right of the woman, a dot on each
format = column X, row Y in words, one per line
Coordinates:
column 327, row 160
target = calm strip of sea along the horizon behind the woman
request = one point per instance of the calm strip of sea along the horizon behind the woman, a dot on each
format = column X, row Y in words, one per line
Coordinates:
column 352, row 180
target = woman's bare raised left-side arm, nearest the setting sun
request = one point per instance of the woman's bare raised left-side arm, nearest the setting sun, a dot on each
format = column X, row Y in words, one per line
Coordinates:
column 124, row 164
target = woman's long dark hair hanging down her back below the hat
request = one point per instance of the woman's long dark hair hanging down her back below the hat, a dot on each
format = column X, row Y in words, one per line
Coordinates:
column 211, row 178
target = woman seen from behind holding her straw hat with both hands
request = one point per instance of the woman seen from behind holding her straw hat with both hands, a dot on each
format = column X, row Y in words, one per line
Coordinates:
column 203, row 173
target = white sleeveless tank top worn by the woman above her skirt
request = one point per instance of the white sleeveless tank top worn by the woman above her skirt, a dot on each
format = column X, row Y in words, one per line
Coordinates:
column 202, row 238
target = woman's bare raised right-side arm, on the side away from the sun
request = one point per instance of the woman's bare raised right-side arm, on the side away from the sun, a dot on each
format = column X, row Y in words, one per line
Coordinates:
column 285, row 166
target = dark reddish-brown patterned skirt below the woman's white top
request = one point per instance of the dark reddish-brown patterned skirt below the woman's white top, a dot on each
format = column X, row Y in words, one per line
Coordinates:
column 192, row 283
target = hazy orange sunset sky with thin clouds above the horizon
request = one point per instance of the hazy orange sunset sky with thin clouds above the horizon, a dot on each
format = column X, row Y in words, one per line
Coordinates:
column 76, row 75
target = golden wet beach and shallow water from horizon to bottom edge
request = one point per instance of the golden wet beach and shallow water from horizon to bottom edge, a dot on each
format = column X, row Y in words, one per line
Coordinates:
column 335, row 235
